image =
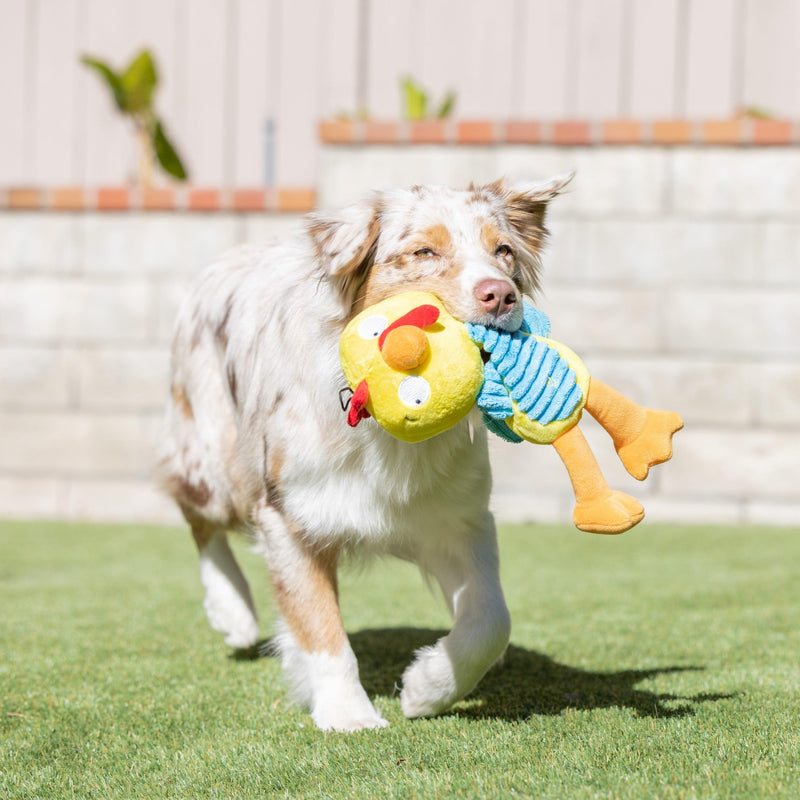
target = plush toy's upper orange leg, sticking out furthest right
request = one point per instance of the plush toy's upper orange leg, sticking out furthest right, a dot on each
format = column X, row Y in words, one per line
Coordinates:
column 642, row 436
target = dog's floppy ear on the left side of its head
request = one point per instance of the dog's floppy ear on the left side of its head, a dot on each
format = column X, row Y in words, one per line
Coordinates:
column 346, row 243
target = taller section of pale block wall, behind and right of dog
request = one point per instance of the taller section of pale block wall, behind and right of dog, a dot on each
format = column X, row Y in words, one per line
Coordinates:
column 675, row 273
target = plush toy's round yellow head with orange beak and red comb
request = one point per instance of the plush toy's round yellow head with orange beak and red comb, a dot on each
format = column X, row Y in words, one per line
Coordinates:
column 411, row 366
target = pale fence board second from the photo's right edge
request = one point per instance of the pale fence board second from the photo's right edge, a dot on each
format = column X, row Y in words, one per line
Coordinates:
column 710, row 58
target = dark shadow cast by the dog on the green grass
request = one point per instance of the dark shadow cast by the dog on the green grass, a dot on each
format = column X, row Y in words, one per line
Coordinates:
column 525, row 684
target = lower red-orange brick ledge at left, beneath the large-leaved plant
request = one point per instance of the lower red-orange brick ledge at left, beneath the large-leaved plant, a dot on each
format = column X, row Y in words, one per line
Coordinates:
column 286, row 200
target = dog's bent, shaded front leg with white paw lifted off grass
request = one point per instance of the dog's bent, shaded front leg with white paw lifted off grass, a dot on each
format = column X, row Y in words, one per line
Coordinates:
column 450, row 669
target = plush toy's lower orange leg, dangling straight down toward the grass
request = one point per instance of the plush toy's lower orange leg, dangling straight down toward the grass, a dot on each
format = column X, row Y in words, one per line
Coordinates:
column 598, row 509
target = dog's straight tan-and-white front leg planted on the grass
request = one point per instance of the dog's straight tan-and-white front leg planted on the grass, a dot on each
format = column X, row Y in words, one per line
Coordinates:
column 315, row 653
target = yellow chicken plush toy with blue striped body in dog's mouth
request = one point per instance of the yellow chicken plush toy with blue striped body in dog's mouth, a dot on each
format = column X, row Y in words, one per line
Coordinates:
column 418, row 371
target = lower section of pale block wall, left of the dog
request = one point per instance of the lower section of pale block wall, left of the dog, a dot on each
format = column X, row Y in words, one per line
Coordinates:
column 87, row 305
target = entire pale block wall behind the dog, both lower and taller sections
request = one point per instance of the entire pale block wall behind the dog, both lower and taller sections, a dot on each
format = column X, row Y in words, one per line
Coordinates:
column 675, row 272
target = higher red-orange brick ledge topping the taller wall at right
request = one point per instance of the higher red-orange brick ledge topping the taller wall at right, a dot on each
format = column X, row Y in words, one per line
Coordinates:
column 566, row 132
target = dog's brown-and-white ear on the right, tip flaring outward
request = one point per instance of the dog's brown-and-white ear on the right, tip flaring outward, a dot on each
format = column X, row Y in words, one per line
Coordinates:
column 525, row 207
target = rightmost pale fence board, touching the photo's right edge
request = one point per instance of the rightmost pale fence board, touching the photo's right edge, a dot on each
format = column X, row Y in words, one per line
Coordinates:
column 772, row 57
